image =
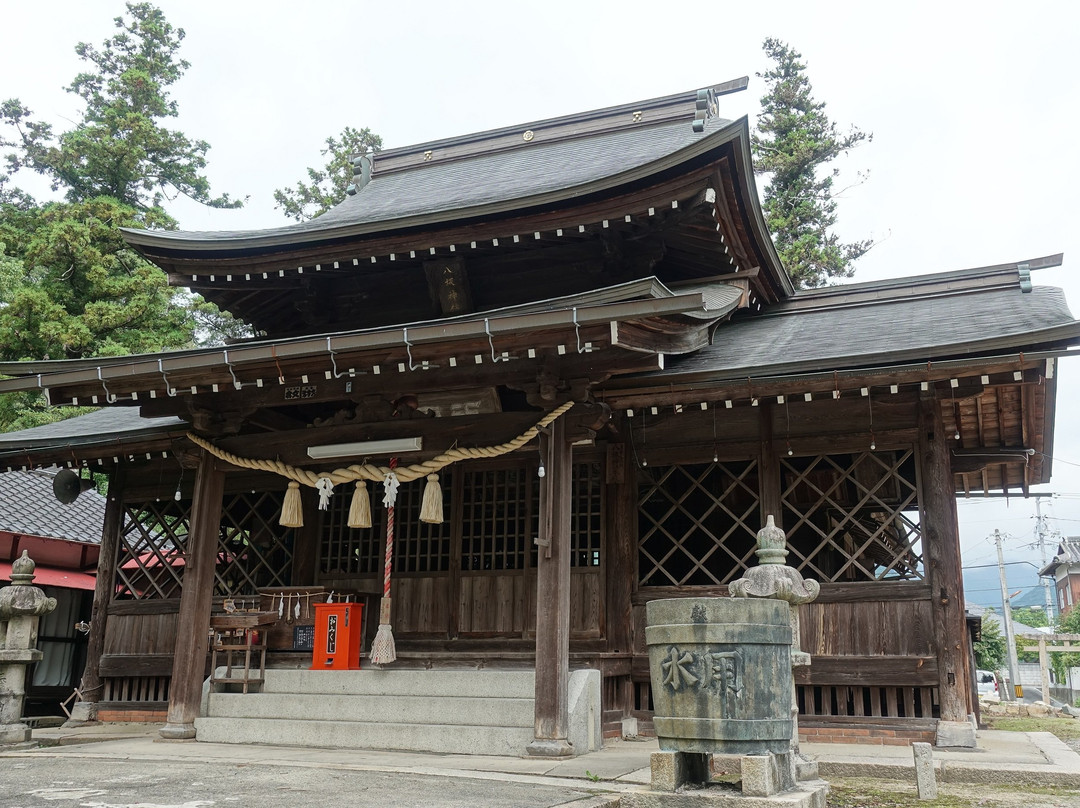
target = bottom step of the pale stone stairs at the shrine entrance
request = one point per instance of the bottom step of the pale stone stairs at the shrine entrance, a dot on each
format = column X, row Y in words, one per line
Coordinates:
column 445, row 739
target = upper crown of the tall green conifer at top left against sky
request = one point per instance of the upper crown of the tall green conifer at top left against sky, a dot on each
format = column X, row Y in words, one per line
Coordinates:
column 120, row 149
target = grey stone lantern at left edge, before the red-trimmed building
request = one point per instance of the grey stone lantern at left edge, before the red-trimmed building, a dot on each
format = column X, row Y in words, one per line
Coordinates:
column 21, row 605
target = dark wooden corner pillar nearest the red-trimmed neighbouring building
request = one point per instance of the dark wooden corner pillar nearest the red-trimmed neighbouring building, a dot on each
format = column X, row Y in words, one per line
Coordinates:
column 91, row 686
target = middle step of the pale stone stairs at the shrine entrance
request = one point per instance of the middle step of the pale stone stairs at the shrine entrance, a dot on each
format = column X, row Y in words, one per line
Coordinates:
column 383, row 709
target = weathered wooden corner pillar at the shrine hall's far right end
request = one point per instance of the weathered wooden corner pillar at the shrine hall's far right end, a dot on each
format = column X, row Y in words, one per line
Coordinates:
column 941, row 548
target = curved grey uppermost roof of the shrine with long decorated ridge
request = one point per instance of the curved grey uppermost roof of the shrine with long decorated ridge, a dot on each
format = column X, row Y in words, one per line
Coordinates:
column 491, row 173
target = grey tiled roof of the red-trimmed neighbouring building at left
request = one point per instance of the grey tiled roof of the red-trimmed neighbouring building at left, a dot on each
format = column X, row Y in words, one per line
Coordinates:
column 28, row 507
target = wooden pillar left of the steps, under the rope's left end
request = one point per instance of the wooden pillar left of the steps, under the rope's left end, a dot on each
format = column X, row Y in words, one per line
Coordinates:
column 190, row 661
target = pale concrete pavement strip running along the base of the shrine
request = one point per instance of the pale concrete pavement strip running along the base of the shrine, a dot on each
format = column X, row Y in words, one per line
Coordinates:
column 623, row 765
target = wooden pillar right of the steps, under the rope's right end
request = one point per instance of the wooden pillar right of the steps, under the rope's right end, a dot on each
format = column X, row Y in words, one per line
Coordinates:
column 553, row 598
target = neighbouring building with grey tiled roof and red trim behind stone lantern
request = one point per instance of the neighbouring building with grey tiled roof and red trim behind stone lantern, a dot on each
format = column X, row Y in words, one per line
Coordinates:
column 64, row 542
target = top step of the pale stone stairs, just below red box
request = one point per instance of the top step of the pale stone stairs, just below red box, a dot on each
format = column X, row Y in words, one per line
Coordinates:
column 468, row 684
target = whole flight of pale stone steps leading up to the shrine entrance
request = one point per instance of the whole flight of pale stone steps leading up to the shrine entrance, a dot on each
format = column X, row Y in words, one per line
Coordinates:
column 465, row 712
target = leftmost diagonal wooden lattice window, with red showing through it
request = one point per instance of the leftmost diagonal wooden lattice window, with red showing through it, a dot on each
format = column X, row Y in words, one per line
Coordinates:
column 152, row 548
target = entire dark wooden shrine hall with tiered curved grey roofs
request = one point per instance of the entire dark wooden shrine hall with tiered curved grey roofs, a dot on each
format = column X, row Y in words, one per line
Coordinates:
column 602, row 288
